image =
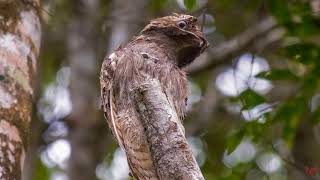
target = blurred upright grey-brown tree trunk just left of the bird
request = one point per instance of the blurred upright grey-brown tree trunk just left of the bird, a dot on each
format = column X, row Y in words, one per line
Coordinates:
column 88, row 135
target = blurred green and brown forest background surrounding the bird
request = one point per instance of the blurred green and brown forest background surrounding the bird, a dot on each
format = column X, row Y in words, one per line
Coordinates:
column 253, row 110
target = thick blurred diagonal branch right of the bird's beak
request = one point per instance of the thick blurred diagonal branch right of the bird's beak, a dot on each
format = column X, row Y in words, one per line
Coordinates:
column 228, row 48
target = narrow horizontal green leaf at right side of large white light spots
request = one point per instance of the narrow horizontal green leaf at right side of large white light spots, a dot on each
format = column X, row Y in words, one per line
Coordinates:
column 278, row 74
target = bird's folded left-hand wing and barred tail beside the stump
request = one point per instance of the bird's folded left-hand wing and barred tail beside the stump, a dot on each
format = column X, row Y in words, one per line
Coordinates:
column 124, row 122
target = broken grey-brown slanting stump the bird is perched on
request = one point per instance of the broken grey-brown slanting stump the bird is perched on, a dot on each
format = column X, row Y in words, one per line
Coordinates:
column 171, row 154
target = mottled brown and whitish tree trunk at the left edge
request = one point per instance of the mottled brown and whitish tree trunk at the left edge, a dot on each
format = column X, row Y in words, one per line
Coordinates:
column 20, row 34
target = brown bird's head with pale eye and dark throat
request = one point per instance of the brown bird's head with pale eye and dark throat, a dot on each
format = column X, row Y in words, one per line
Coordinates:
column 183, row 30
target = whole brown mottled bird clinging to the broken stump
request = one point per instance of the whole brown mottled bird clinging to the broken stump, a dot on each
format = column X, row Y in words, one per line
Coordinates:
column 161, row 50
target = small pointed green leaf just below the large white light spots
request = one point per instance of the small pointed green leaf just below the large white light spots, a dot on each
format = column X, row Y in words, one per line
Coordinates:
column 250, row 99
